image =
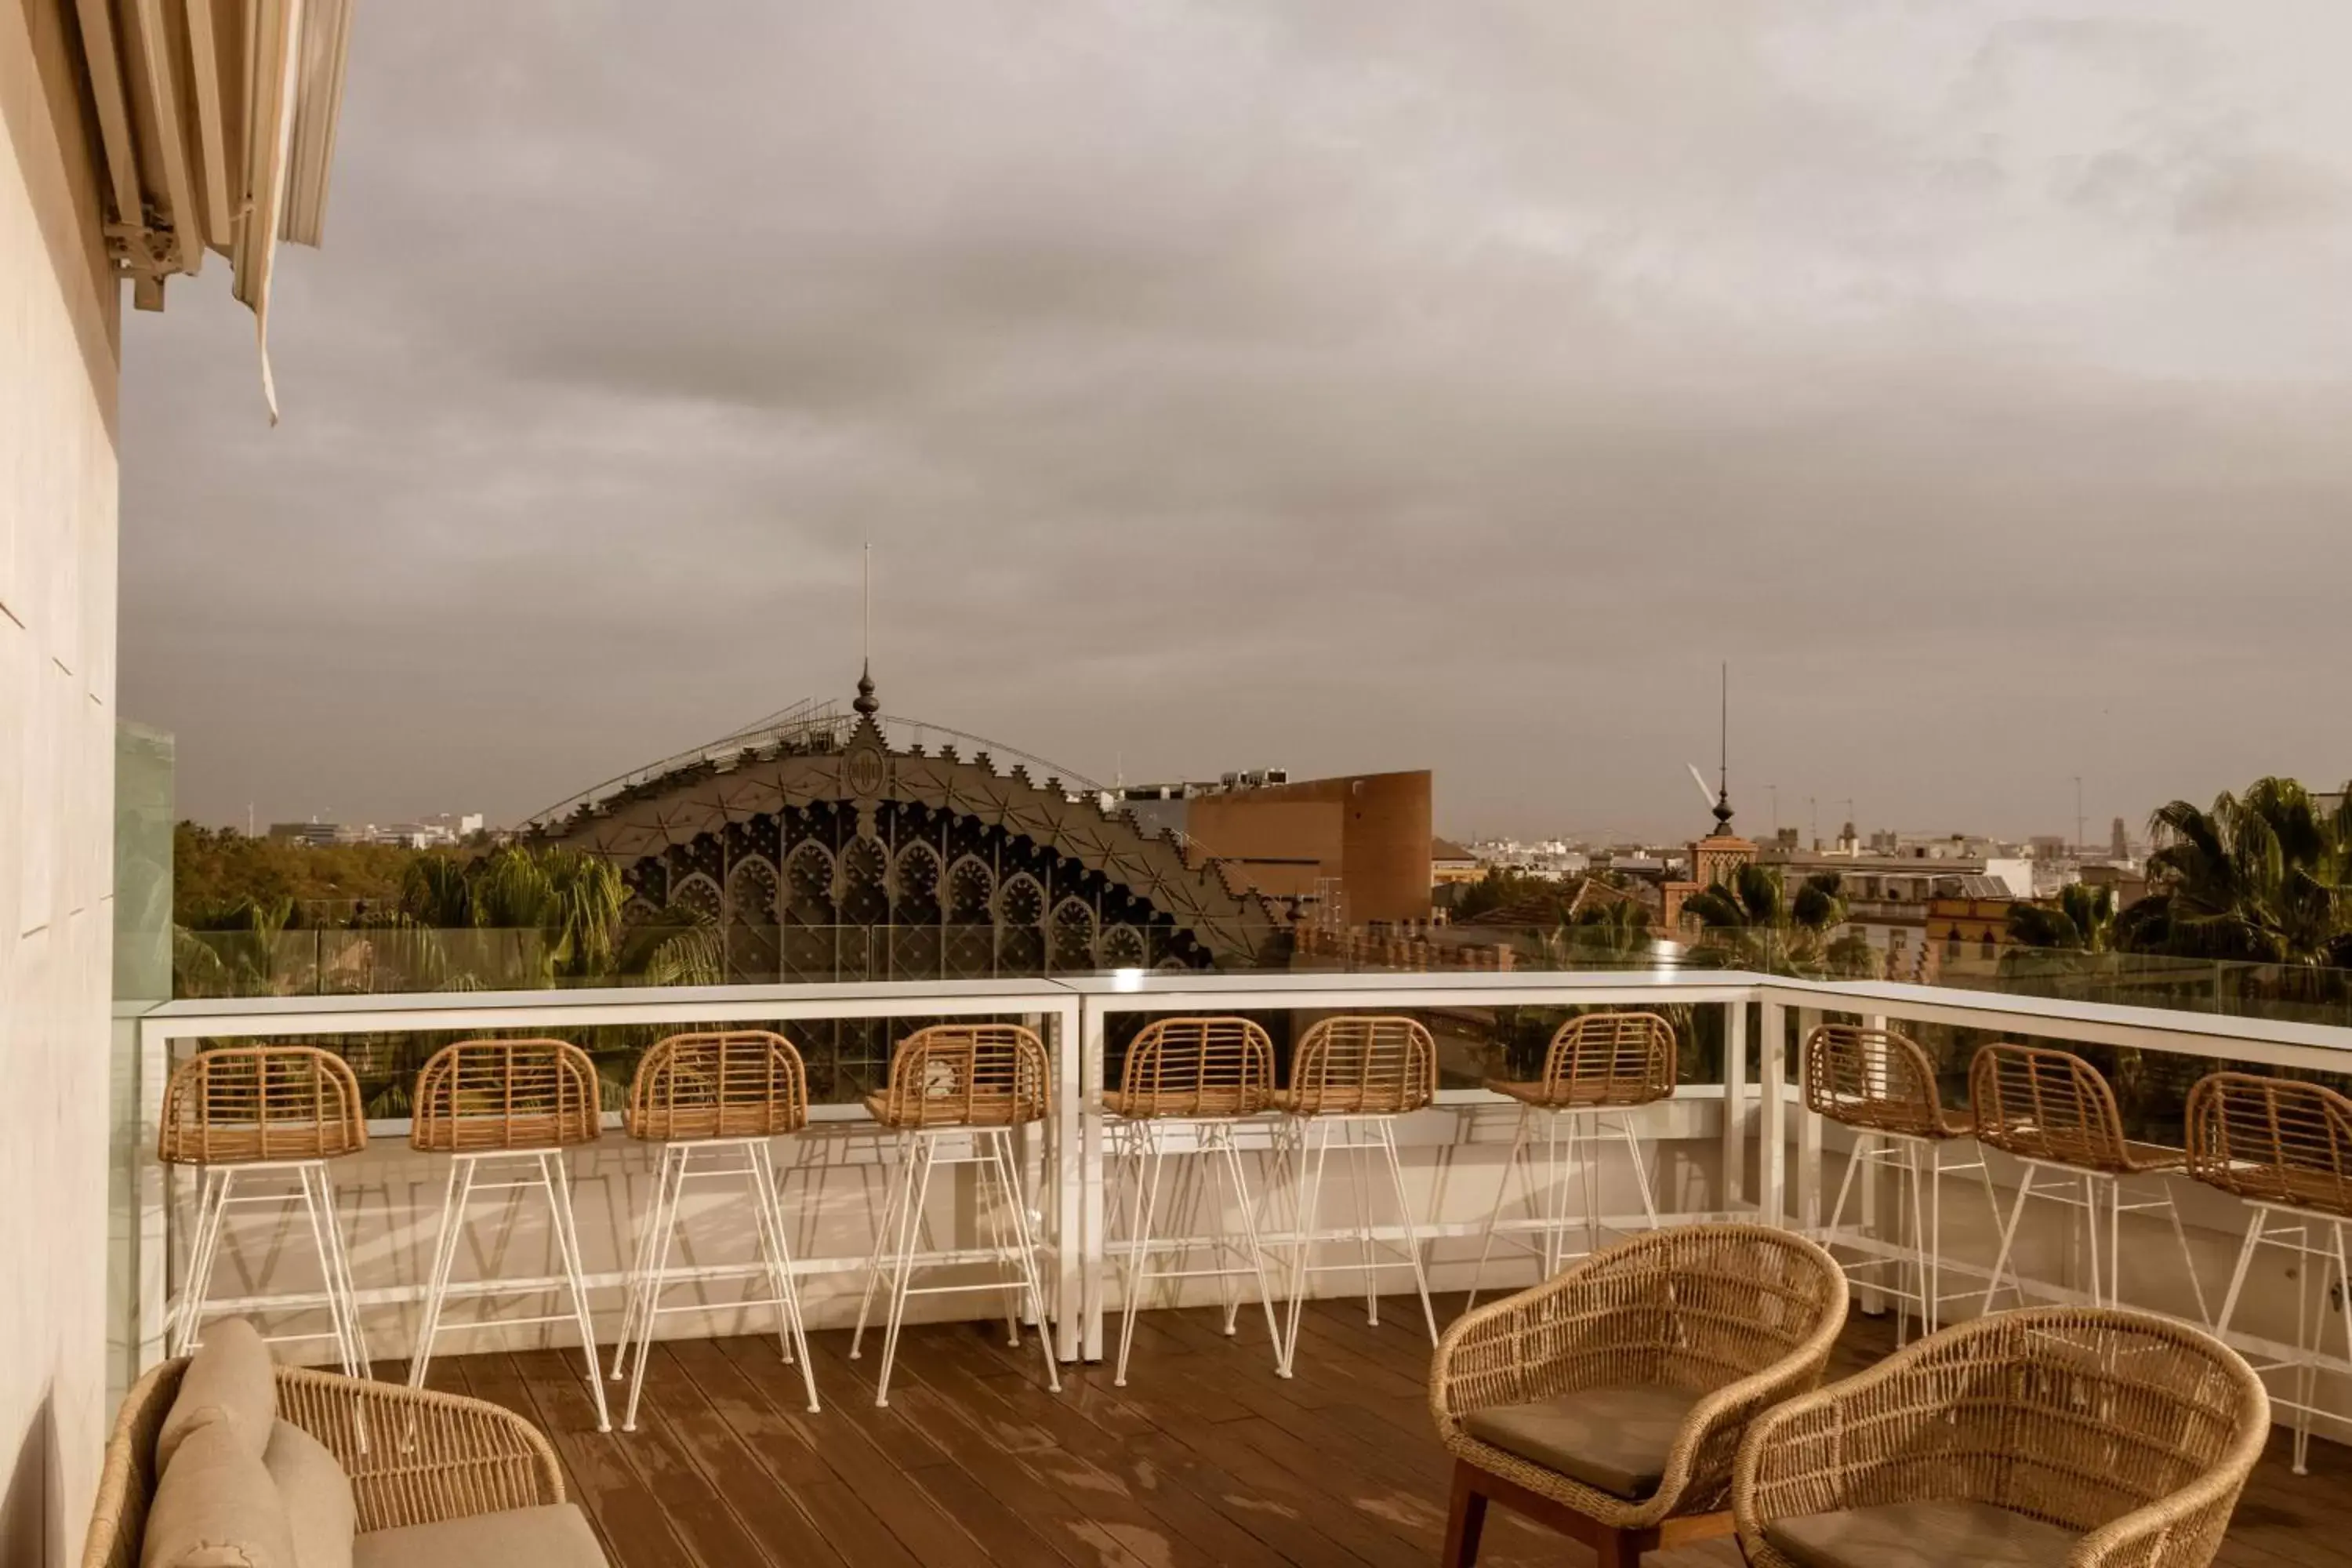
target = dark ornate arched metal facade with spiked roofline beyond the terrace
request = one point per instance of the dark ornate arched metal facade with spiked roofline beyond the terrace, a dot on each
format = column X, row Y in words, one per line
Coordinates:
column 843, row 859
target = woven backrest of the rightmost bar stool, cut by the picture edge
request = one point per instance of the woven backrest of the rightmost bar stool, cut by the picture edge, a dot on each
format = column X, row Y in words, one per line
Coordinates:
column 2273, row 1141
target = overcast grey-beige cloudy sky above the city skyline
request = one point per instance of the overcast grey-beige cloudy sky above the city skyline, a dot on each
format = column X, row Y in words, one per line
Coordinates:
column 1363, row 384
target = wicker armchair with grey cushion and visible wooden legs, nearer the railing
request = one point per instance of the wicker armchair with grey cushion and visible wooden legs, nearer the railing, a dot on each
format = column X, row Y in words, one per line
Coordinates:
column 1612, row 1400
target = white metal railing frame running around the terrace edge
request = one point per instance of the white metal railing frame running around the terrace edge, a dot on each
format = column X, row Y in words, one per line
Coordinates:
column 1760, row 1120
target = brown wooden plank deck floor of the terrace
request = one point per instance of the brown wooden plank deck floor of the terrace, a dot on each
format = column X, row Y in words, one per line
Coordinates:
column 1203, row 1461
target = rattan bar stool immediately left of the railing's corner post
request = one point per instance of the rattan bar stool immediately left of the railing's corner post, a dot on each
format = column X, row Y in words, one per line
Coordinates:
column 1596, row 1073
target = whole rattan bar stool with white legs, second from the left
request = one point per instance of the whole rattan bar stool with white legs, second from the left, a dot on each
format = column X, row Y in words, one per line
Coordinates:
column 514, row 1106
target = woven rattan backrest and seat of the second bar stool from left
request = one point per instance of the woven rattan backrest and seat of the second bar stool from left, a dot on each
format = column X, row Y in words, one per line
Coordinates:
column 481, row 1097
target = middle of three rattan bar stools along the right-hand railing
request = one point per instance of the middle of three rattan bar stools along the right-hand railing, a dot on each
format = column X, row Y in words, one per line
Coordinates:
column 2057, row 1115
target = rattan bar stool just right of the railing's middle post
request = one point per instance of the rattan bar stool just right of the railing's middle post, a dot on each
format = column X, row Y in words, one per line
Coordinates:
column 1187, row 1087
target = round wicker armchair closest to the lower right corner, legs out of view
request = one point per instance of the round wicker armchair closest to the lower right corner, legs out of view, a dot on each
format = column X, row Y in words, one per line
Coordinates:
column 2076, row 1438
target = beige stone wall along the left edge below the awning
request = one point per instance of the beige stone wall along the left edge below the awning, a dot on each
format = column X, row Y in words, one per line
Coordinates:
column 58, row 711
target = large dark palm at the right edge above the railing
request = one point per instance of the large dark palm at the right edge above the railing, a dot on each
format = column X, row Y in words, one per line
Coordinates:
column 2259, row 878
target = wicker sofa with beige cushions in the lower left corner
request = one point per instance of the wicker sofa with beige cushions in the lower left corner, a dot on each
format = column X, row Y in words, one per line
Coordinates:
column 227, row 1461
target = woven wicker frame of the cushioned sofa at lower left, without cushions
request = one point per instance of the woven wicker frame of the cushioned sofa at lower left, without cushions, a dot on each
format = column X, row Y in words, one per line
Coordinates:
column 455, row 1459
